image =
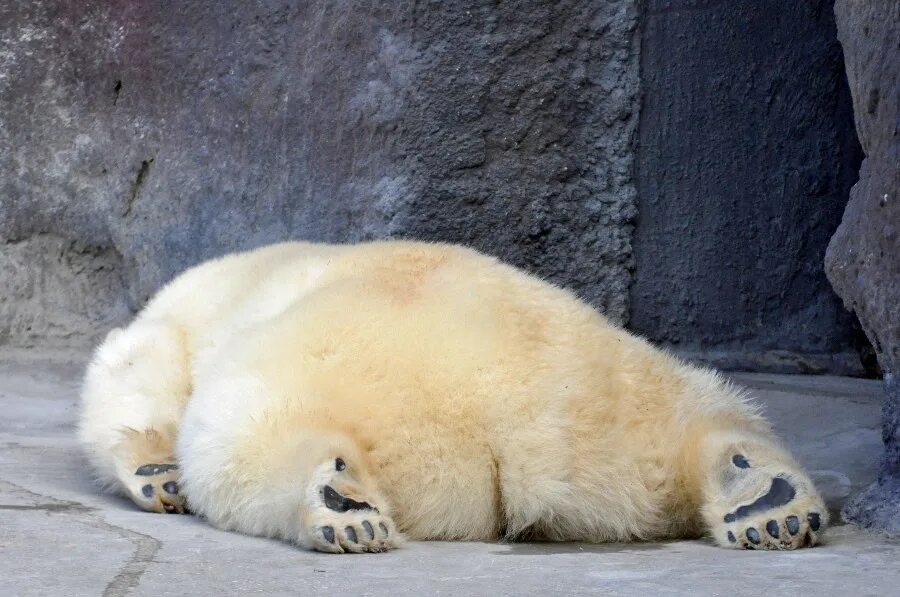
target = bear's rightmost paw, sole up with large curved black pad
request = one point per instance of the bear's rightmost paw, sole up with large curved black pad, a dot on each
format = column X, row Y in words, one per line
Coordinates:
column 756, row 496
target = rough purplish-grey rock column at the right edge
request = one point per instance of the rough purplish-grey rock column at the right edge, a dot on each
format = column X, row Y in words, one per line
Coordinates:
column 863, row 260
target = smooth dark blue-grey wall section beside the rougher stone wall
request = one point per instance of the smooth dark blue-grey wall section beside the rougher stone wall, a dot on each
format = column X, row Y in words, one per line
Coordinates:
column 747, row 155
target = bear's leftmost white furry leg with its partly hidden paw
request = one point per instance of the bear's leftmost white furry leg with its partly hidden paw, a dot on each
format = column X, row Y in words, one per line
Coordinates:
column 135, row 389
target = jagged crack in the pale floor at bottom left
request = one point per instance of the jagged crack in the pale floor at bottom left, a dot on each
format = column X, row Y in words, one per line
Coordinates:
column 146, row 547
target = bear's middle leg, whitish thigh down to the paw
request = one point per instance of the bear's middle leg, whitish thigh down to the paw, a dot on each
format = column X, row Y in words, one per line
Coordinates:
column 280, row 473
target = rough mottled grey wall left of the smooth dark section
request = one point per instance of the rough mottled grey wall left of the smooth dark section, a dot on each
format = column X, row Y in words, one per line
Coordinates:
column 162, row 134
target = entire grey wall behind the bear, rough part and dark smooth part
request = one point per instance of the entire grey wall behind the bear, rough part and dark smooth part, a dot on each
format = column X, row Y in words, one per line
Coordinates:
column 138, row 139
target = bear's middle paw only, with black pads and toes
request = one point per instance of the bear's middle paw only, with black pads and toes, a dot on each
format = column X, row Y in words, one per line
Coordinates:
column 342, row 515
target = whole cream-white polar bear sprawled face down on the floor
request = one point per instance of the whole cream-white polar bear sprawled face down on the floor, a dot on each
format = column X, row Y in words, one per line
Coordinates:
column 345, row 397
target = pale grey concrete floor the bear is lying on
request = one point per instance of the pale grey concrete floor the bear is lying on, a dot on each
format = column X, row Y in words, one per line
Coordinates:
column 60, row 536
